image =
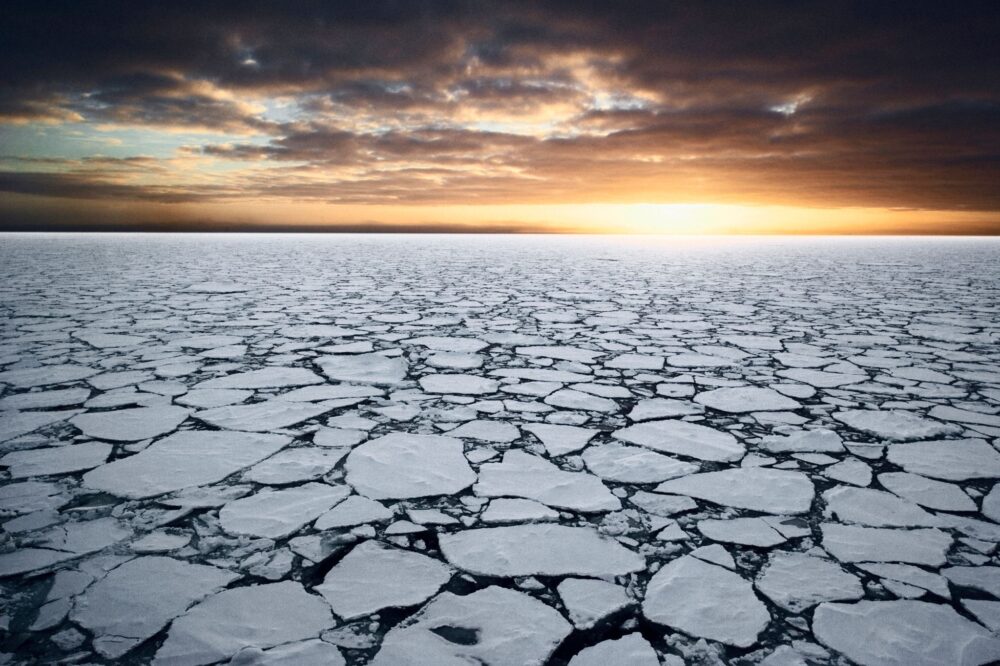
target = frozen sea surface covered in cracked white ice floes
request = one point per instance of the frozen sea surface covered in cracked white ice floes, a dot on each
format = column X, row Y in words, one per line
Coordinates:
column 499, row 450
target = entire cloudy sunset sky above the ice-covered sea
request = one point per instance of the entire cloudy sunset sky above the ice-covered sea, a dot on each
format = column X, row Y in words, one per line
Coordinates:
column 595, row 117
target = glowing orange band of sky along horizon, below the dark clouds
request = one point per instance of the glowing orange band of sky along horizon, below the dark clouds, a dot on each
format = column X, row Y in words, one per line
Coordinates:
column 594, row 218
